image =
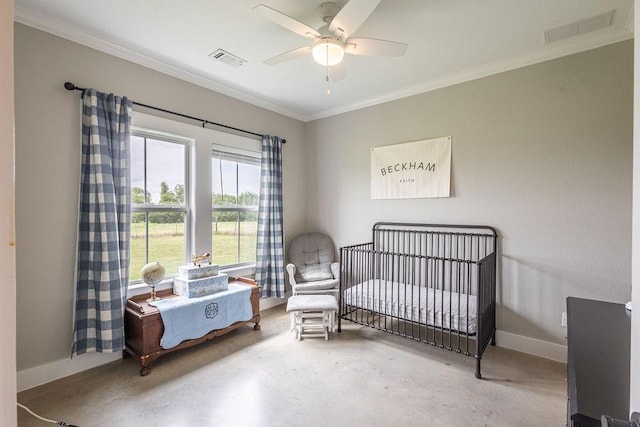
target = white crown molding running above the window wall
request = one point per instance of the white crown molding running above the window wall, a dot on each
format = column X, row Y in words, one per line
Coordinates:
column 165, row 65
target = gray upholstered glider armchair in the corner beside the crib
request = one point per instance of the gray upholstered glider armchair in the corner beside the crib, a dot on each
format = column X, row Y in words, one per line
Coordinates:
column 311, row 267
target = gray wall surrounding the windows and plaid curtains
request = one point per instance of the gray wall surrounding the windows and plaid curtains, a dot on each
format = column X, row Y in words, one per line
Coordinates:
column 48, row 170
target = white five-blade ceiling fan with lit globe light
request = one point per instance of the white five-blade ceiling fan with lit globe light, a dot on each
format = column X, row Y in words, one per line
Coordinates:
column 331, row 41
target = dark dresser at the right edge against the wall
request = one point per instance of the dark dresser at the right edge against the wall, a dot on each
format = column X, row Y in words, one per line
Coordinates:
column 598, row 361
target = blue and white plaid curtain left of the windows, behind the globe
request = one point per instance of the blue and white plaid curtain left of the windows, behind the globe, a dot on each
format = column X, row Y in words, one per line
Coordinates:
column 102, row 273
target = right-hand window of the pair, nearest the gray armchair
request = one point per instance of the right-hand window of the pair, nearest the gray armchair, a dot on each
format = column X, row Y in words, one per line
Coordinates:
column 235, row 194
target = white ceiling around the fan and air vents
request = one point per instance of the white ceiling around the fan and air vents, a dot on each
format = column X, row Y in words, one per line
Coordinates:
column 450, row 41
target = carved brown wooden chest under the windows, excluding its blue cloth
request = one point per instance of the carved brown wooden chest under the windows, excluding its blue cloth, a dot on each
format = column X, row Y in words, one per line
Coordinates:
column 144, row 328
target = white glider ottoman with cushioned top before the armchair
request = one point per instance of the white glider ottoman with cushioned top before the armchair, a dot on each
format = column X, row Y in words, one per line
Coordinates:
column 312, row 315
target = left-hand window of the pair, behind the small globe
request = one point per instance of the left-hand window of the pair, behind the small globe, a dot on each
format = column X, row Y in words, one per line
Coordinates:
column 159, row 201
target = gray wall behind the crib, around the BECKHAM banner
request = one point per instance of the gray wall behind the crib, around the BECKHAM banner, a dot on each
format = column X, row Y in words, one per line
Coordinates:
column 542, row 153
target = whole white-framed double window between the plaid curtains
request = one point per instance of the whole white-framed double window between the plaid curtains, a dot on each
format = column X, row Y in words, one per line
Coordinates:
column 173, row 215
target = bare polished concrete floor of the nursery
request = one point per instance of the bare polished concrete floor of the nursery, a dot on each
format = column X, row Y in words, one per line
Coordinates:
column 360, row 377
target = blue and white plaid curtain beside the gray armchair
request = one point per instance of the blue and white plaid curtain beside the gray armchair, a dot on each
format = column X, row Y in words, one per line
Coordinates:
column 270, row 247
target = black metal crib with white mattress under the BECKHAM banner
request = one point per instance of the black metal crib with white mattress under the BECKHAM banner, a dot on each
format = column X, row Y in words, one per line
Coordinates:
column 431, row 283
